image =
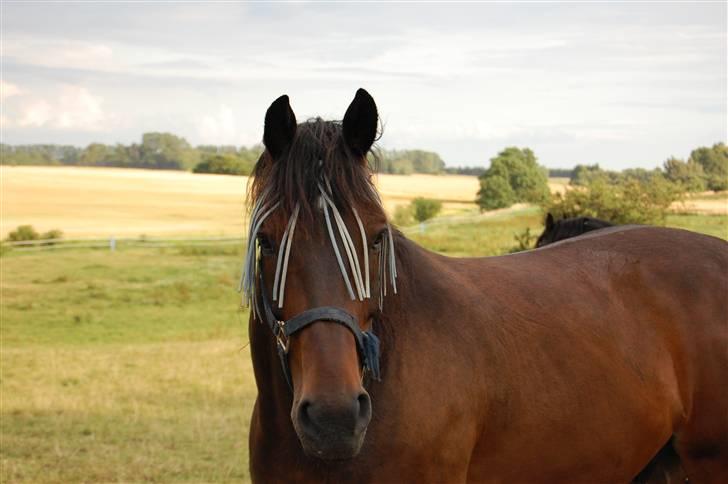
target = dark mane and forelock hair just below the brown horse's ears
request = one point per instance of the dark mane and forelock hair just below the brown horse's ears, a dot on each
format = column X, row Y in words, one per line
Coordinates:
column 316, row 155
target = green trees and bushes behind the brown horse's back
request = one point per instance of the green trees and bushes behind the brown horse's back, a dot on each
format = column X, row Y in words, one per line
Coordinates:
column 634, row 195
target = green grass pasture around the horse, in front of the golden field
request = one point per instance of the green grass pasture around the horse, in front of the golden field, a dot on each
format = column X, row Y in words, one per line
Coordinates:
column 132, row 365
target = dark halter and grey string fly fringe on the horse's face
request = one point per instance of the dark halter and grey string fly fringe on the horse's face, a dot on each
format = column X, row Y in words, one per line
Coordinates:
column 367, row 342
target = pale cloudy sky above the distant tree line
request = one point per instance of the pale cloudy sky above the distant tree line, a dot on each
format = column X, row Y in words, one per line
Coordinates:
column 620, row 84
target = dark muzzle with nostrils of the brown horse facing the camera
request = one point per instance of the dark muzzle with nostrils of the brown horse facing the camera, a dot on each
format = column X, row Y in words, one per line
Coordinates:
column 332, row 430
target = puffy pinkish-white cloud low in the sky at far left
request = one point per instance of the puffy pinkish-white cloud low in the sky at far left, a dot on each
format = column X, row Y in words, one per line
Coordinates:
column 76, row 108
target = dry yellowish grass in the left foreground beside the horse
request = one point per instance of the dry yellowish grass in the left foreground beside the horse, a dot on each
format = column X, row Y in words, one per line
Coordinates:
column 162, row 412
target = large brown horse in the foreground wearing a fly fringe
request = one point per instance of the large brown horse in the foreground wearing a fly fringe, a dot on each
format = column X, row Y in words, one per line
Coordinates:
column 572, row 363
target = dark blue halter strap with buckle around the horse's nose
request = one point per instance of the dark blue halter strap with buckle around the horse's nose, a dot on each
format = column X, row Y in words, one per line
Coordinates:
column 367, row 343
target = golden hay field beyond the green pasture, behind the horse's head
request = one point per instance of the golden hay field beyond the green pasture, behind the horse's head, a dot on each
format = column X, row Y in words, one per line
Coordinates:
column 87, row 202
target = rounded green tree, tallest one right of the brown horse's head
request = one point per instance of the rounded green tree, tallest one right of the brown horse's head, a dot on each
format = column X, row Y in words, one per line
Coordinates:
column 517, row 168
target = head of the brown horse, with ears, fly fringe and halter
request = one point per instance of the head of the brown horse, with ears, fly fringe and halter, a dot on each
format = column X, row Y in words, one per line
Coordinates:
column 319, row 263
